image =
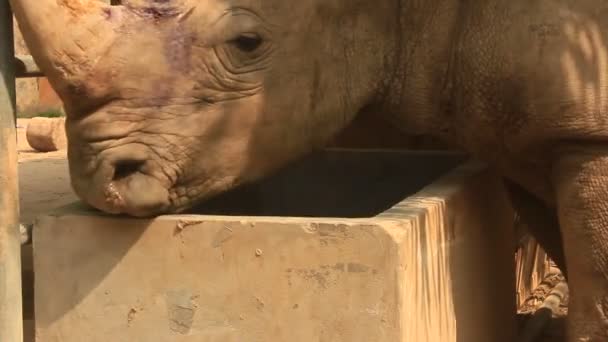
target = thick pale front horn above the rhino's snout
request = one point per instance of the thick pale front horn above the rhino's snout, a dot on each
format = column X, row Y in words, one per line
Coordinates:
column 66, row 37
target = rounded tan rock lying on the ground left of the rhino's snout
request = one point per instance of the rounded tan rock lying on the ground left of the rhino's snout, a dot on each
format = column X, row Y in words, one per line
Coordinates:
column 46, row 134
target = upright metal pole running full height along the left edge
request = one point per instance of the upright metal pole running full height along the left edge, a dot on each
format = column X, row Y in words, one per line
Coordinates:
column 11, row 312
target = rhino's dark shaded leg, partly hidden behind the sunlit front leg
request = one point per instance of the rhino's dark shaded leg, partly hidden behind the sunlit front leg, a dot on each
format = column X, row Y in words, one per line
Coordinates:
column 541, row 221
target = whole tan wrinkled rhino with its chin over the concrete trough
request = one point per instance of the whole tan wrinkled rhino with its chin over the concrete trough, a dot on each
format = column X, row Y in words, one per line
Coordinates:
column 170, row 102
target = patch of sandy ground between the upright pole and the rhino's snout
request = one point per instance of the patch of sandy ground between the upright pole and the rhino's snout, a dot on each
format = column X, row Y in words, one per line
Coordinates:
column 44, row 181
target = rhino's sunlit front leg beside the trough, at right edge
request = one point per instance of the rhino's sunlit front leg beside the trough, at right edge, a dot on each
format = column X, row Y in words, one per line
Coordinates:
column 580, row 180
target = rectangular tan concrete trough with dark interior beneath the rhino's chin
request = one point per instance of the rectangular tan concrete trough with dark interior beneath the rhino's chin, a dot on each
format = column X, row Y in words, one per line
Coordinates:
column 342, row 246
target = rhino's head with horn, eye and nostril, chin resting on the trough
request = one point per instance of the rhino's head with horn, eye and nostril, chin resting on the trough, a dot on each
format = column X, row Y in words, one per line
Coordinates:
column 169, row 102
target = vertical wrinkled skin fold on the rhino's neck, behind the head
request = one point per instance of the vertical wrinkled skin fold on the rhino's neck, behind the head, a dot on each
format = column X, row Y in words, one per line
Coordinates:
column 422, row 72
